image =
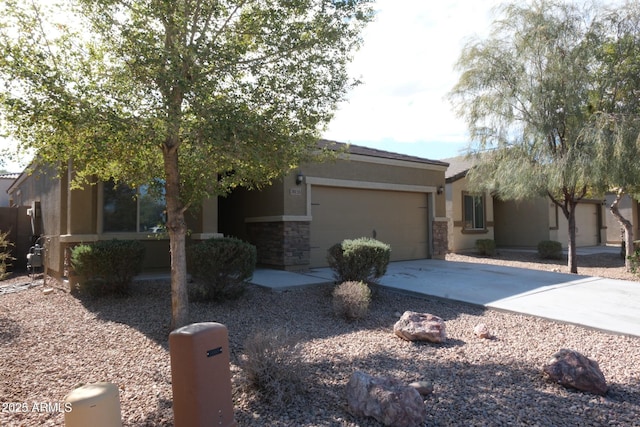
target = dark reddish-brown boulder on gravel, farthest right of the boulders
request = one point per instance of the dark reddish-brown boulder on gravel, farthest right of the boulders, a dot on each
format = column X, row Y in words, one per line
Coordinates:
column 571, row 369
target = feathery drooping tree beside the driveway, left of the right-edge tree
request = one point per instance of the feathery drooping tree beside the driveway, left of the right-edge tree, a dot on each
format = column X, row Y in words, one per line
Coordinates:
column 524, row 93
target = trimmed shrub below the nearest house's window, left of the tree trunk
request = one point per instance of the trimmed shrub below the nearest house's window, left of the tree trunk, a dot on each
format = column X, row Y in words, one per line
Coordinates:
column 107, row 267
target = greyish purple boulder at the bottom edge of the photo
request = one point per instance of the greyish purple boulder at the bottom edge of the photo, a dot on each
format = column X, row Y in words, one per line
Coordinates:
column 387, row 400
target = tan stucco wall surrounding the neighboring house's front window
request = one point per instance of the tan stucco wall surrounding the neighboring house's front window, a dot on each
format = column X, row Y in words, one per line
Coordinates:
column 460, row 240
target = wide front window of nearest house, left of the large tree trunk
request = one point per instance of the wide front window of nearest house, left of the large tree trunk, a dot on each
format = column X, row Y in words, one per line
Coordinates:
column 126, row 209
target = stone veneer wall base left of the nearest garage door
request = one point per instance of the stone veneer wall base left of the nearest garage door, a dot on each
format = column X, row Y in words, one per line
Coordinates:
column 282, row 244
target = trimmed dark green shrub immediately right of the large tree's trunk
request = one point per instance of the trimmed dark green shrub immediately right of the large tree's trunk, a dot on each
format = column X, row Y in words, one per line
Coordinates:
column 220, row 268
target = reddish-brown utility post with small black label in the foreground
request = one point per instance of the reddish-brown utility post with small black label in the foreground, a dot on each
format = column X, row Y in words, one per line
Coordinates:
column 200, row 376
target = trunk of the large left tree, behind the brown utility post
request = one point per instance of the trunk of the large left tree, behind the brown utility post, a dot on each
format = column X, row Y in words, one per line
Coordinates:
column 177, row 229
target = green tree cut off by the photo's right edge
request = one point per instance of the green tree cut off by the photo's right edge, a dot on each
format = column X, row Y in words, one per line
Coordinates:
column 615, row 128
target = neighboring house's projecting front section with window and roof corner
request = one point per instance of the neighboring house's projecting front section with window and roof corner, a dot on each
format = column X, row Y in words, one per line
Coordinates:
column 470, row 215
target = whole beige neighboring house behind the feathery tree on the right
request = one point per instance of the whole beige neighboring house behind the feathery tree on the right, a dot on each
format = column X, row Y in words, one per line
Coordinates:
column 516, row 224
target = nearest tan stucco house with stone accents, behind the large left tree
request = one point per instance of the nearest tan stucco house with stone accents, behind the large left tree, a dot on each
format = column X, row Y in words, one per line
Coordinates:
column 367, row 192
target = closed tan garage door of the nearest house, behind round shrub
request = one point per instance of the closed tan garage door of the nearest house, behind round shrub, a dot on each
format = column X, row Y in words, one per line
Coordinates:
column 397, row 218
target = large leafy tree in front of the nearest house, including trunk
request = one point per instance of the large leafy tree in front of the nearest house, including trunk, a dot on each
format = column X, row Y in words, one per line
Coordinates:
column 204, row 95
